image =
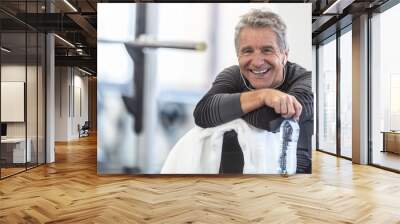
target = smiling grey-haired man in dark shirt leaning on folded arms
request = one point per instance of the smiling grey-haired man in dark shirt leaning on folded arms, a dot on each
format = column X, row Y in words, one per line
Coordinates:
column 264, row 87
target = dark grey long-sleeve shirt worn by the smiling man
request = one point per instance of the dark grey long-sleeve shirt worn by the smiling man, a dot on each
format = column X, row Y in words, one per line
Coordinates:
column 221, row 104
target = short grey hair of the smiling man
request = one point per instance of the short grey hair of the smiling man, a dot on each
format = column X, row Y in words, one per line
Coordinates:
column 261, row 18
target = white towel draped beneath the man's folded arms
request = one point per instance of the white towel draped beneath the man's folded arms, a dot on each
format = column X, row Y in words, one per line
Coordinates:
column 199, row 150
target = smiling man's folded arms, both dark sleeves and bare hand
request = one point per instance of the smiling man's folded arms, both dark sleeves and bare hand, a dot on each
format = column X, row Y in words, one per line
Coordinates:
column 224, row 102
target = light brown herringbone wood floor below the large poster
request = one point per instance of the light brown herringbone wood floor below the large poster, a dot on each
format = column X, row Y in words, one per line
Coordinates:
column 70, row 191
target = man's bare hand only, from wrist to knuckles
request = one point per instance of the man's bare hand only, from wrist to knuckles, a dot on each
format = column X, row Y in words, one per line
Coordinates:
column 283, row 103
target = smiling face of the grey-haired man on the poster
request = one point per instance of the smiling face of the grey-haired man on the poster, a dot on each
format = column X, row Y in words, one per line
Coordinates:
column 259, row 56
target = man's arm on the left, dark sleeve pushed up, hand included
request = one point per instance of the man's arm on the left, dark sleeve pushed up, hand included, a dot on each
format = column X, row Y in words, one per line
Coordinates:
column 226, row 101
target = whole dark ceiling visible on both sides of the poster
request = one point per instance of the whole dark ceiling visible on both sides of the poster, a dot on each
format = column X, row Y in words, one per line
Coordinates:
column 77, row 23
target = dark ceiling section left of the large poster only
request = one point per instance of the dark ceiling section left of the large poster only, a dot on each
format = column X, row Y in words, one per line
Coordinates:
column 77, row 25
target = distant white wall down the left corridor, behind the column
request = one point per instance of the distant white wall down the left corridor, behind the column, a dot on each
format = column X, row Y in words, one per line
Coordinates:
column 70, row 84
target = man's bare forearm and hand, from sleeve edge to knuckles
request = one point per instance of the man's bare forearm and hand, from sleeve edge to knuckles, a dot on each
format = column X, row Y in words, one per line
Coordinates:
column 286, row 105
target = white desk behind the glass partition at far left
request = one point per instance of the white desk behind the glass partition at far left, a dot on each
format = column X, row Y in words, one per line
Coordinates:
column 16, row 148
